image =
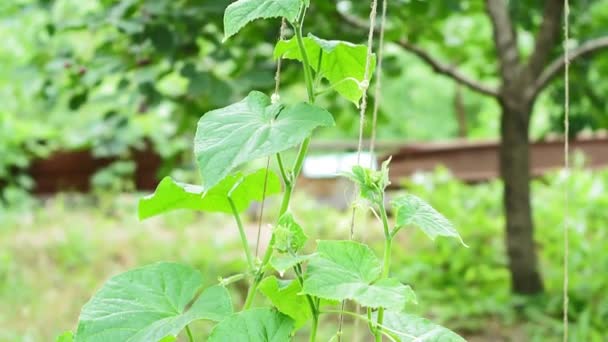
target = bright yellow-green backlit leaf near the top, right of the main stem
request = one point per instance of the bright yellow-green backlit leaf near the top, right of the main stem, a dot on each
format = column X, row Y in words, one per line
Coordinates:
column 342, row 63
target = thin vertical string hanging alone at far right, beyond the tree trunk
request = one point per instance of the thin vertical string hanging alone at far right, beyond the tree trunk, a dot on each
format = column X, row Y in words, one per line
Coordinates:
column 566, row 161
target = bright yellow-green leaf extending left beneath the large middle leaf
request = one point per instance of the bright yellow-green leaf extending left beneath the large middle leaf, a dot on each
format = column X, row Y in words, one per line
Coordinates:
column 171, row 195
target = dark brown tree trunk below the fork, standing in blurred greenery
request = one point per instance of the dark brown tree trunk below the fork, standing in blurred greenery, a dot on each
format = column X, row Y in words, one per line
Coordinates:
column 515, row 172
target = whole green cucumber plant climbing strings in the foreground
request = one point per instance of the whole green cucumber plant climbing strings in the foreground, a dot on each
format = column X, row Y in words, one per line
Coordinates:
column 160, row 301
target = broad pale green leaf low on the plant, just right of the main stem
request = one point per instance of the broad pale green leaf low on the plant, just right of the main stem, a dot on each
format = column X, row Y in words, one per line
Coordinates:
column 349, row 270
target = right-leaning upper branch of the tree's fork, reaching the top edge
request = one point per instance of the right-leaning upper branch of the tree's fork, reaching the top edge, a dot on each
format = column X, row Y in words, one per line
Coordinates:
column 546, row 37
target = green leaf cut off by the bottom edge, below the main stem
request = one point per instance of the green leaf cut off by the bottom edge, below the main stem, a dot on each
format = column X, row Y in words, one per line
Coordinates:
column 255, row 325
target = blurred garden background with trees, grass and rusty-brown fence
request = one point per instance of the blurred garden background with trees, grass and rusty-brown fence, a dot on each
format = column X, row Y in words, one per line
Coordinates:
column 99, row 99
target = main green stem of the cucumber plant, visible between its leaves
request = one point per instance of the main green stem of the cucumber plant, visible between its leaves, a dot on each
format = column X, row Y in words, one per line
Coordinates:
column 298, row 164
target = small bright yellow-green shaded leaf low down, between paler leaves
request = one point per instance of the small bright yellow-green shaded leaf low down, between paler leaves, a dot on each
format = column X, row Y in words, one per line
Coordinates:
column 284, row 296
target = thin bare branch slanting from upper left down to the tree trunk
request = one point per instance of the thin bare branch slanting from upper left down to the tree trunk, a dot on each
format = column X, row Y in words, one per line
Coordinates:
column 448, row 70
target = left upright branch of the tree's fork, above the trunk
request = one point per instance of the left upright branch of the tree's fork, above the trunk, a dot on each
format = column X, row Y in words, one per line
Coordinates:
column 505, row 39
